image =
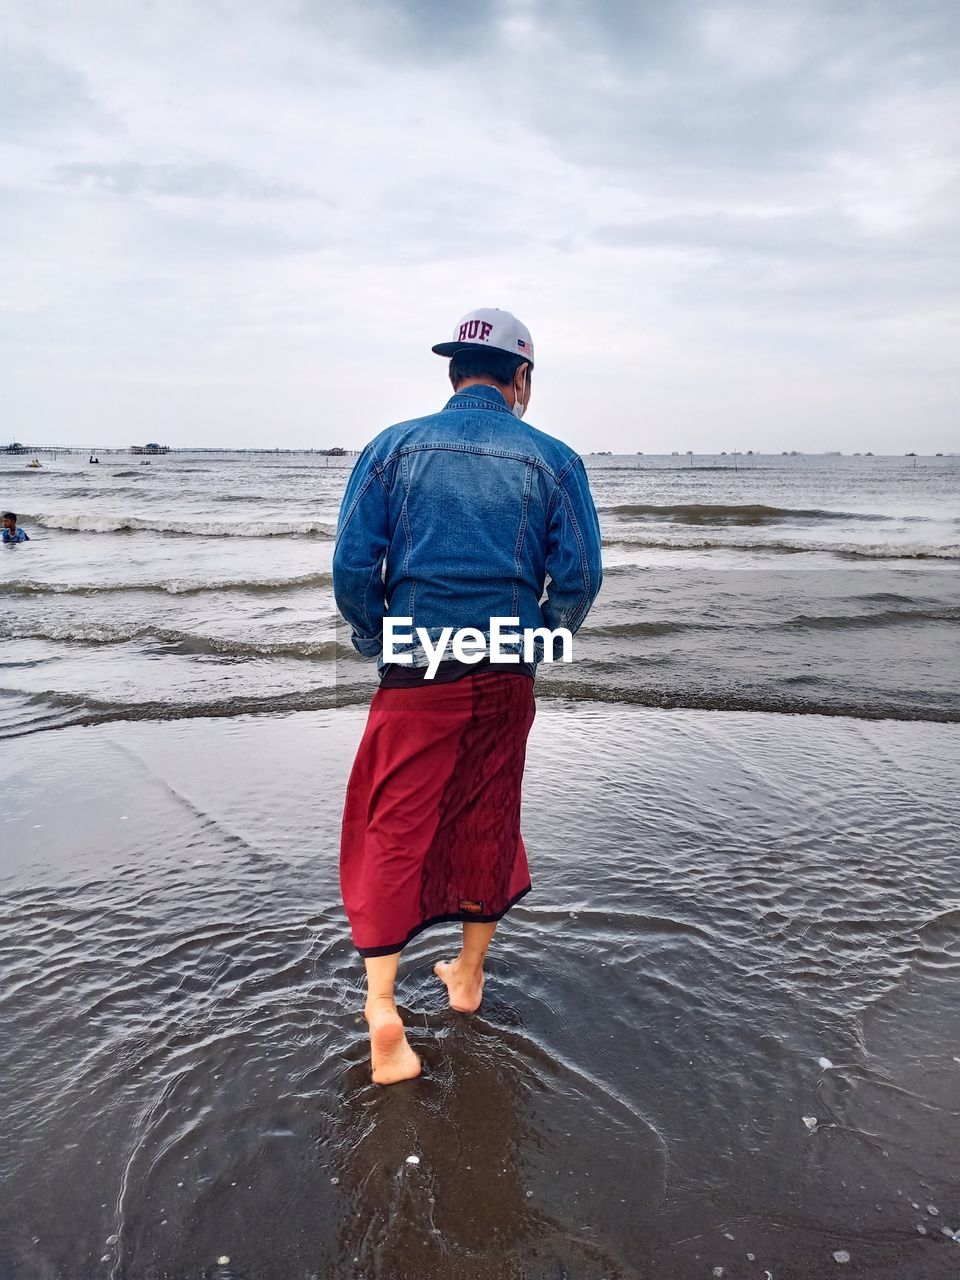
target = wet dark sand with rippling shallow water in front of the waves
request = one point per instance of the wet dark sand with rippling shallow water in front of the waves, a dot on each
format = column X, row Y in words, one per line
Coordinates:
column 721, row 900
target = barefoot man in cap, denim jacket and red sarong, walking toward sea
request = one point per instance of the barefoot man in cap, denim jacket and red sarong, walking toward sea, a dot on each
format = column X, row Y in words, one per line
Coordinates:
column 451, row 522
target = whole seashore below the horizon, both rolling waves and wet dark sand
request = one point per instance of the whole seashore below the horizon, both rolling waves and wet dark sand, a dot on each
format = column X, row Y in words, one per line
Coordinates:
column 721, row 1032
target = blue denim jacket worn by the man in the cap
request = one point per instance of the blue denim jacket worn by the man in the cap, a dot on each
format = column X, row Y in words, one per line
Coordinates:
column 464, row 516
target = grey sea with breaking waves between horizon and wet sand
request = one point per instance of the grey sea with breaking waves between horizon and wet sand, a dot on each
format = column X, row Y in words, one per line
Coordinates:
column 202, row 586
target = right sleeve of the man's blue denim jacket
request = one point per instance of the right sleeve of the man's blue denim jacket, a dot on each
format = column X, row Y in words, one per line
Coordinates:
column 573, row 551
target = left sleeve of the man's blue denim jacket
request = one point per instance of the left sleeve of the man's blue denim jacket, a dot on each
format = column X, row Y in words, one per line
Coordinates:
column 363, row 538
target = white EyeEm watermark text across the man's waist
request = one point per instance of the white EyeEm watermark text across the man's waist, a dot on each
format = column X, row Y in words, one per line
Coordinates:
column 470, row 644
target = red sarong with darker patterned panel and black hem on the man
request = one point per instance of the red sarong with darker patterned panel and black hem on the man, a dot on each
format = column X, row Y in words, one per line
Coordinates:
column 432, row 819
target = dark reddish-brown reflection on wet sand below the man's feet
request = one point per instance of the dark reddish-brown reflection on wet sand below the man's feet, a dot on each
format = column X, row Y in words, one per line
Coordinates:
column 465, row 1124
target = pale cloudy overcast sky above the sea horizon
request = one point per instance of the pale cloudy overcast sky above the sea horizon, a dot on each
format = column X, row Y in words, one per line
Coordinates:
column 728, row 226
